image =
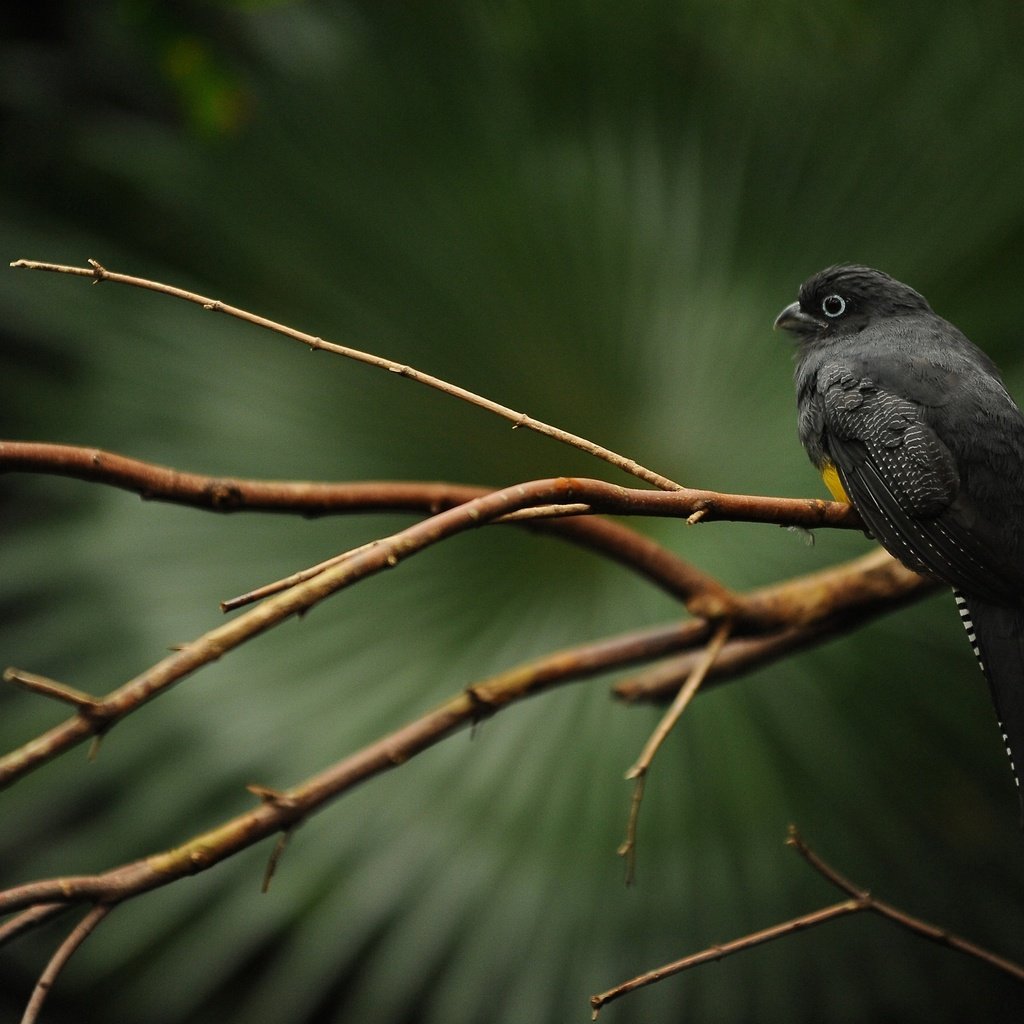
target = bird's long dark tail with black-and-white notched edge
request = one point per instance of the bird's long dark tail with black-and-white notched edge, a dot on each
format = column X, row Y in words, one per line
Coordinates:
column 997, row 634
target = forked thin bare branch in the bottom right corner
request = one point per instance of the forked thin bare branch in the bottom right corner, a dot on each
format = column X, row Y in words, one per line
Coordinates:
column 861, row 900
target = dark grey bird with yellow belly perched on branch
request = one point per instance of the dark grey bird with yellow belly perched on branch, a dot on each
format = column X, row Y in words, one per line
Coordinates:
column 912, row 423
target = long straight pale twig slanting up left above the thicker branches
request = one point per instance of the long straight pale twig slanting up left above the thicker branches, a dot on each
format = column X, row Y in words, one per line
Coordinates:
column 98, row 273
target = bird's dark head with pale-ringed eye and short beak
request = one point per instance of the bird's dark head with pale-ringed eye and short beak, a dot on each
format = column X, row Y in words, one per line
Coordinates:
column 843, row 301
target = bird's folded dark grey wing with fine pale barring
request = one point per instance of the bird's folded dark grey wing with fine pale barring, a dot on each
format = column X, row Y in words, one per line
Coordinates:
column 904, row 481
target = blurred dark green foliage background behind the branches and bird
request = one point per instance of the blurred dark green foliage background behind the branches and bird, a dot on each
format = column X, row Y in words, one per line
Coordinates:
column 593, row 212
